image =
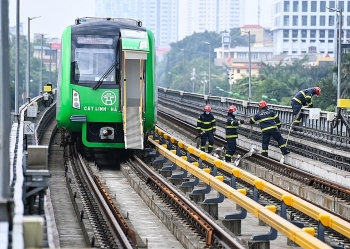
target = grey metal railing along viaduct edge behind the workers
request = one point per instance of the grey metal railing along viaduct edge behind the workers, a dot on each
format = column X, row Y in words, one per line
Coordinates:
column 322, row 127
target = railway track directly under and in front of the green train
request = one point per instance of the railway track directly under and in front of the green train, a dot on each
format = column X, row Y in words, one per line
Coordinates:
column 196, row 222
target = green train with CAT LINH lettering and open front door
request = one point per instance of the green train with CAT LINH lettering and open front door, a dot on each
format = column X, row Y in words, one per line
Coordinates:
column 106, row 89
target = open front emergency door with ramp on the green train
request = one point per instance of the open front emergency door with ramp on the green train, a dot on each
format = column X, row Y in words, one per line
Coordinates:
column 132, row 98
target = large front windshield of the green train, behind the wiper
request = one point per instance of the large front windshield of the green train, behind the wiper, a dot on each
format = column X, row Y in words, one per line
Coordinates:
column 90, row 65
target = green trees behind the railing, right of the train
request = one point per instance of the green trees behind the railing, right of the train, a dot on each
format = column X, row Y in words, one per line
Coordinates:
column 276, row 84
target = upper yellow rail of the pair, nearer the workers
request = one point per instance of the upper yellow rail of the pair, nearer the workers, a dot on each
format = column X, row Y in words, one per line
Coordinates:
column 326, row 218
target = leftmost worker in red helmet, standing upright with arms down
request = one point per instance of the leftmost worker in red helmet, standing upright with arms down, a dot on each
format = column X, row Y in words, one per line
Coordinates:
column 206, row 127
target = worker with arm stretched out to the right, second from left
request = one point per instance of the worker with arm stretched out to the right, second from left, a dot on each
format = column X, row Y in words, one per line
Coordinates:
column 231, row 131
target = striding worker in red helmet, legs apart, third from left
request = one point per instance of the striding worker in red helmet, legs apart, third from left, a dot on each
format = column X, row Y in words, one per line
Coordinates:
column 270, row 124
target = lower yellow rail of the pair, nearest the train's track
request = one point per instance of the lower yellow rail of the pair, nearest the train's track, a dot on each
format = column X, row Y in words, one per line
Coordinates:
column 299, row 236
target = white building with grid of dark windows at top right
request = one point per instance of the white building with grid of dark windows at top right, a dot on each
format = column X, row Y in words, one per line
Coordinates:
column 309, row 26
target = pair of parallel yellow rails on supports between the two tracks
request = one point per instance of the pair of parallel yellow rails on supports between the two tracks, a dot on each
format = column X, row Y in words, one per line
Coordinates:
column 324, row 218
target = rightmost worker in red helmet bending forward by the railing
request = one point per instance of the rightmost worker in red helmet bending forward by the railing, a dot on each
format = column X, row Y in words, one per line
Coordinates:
column 302, row 98
